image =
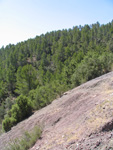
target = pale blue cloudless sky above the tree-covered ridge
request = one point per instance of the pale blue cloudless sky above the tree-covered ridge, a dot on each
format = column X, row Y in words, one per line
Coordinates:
column 24, row 19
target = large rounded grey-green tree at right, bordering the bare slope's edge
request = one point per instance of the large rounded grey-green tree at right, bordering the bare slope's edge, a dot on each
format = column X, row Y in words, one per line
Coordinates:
column 91, row 67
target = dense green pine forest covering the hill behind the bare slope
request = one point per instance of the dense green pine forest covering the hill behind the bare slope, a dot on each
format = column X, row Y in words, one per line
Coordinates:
column 36, row 71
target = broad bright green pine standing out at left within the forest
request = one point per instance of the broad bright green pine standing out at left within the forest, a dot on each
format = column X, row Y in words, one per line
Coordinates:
column 26, row 79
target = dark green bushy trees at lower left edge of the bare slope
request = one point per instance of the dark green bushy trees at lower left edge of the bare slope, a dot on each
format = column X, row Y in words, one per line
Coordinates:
column 19, row 111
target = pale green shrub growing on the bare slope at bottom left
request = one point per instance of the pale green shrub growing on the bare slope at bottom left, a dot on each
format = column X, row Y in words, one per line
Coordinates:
column 26, row 141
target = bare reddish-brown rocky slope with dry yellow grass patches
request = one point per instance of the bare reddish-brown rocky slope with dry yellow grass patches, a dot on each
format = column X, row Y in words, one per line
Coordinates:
column 81, row 118
